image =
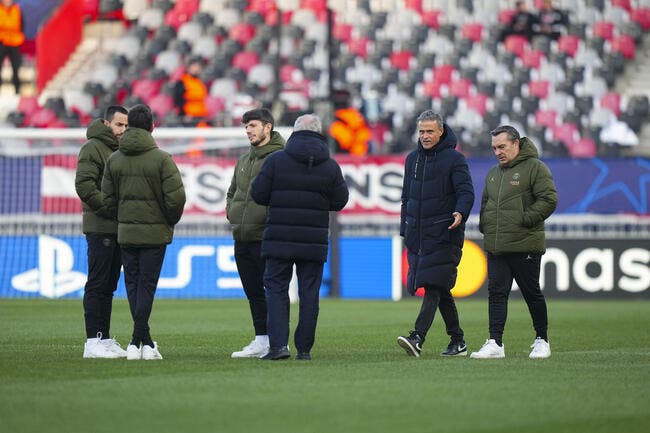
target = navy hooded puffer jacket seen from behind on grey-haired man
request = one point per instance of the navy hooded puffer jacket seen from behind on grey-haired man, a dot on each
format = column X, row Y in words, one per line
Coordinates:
column 301, row 185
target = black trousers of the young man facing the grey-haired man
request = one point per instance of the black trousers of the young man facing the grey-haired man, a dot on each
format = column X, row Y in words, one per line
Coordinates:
column 250, row 265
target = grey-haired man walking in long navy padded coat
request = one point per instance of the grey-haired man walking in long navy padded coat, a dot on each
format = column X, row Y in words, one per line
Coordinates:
column 436, row 200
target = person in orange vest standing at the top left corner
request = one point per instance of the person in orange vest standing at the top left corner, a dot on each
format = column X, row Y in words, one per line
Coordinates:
column 11, row 37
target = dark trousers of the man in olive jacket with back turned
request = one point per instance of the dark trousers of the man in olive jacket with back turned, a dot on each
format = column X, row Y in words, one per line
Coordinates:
column 142, row 267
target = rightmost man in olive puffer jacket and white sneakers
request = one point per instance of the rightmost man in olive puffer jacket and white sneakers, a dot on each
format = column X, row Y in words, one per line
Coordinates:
column 519, row 195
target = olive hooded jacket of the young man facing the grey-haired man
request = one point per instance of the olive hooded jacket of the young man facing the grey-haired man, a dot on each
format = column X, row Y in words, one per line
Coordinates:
column 246, row 217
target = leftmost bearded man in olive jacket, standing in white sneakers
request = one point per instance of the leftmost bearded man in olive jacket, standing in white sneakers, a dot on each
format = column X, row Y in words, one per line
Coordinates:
column 104, row 261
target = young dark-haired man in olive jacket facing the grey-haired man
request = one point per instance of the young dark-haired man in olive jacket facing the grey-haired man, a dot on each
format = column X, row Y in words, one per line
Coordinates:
column 248, row 219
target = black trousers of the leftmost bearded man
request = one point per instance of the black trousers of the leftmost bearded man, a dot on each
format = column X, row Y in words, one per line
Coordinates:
column 104, row 265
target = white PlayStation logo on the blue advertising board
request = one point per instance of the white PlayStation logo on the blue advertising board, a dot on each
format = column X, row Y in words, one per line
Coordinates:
column 54, row 276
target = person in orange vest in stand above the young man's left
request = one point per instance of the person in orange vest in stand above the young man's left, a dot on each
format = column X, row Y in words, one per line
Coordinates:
column 190, row 94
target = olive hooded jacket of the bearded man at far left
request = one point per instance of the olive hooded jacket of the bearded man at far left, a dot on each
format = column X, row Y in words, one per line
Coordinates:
column 88, row 179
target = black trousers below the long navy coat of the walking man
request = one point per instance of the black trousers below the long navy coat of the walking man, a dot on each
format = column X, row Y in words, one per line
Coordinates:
column 436, row 298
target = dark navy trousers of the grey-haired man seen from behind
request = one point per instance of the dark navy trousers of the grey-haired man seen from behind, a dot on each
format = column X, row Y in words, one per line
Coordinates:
column 276, row 280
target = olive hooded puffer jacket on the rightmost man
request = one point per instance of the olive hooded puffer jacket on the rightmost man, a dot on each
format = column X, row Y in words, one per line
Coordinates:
column 517, row 198
